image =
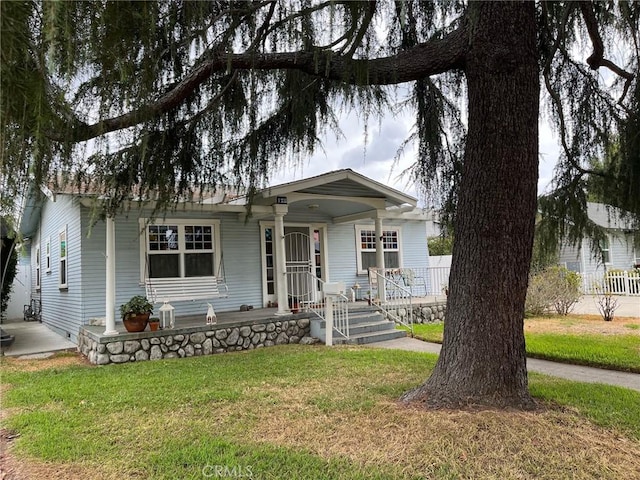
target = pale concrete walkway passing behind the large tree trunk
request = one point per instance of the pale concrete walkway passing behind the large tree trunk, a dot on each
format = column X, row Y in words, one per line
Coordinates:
column 562, row 370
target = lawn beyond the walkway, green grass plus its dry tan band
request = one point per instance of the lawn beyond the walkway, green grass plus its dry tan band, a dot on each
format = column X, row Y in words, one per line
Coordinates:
column 577, row 339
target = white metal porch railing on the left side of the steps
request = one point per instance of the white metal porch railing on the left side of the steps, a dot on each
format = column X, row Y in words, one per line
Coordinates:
column 306, row 291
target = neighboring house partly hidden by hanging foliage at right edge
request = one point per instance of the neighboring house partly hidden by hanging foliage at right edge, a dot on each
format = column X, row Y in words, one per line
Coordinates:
column 620, row 249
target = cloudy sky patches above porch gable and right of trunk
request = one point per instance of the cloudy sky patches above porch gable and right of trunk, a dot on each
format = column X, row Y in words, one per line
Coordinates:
column 371, row 152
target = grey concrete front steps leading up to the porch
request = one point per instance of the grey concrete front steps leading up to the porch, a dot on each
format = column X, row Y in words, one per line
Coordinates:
column 366, row 326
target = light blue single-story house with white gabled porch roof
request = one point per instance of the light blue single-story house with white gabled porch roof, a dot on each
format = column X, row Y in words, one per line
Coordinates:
column 330, row 225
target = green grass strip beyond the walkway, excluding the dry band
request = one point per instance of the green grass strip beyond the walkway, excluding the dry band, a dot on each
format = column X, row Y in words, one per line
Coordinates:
column 616, row 352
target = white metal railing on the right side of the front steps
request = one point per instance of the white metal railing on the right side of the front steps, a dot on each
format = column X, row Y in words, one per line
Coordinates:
column 392, row 296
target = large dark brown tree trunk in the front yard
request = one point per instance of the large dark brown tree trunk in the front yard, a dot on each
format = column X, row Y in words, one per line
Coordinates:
column 483, row 356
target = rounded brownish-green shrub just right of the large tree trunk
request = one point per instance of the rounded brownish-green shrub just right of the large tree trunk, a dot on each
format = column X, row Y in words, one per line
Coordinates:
column 552, row 289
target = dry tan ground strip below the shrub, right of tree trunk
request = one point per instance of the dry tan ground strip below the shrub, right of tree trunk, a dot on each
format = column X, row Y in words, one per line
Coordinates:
column 583, row 324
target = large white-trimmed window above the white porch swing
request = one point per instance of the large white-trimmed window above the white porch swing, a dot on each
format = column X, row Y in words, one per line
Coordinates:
column 181, row 248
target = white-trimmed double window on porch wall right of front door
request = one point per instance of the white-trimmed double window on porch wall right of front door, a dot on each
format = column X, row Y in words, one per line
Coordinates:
column 366, row 247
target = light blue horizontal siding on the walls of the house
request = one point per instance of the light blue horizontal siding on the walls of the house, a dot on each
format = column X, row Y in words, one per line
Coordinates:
column 66, row 310
